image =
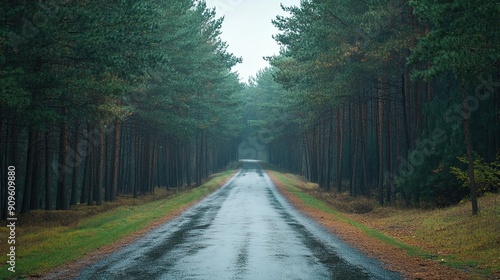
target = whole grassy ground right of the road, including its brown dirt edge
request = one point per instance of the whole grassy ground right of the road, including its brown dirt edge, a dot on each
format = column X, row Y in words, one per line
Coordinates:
column 420, row 244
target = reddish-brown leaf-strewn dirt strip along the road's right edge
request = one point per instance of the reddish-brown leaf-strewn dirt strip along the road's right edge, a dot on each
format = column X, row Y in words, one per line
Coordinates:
column 394, row 259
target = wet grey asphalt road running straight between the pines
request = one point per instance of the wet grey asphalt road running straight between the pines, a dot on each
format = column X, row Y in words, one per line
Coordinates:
column 245, row 230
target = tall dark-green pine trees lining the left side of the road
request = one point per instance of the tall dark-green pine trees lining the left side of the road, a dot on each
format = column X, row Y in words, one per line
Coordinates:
column 125, row 95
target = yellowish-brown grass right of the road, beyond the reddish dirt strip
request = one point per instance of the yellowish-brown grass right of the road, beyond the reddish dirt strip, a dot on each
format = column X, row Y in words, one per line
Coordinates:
column 451, row 235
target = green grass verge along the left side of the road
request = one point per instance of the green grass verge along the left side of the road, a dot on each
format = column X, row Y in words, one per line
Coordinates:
column 40, row 248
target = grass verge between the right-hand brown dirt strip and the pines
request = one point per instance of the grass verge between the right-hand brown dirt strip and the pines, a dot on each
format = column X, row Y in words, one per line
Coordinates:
column 450, row 236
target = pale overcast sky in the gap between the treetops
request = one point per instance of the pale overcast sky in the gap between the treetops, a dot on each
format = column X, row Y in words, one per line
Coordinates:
column 247, row 29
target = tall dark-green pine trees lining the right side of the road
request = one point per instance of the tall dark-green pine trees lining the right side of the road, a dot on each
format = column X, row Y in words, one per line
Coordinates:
column 374, row 85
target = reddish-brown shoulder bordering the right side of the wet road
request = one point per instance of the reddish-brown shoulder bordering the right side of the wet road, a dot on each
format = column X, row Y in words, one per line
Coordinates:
column 359, row 235
